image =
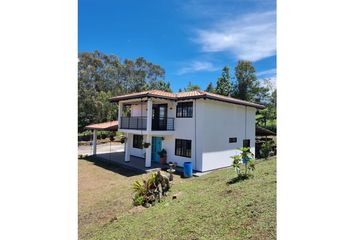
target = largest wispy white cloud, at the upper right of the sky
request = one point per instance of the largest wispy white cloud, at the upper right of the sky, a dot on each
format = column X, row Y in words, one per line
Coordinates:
column 251, row 37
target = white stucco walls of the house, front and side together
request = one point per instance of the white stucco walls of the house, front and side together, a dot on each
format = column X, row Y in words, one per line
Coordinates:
column 210, row 128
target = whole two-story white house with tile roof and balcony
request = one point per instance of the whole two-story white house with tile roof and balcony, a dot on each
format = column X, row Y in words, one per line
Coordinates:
column 197, row 126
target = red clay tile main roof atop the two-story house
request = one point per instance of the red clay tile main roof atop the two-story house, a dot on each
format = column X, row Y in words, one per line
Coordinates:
column 185, row 95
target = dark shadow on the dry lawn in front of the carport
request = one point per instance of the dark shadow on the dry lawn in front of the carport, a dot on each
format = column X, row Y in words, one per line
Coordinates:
column 111, row 166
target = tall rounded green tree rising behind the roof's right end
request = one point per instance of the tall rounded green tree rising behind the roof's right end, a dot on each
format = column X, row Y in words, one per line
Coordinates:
column 246, row 86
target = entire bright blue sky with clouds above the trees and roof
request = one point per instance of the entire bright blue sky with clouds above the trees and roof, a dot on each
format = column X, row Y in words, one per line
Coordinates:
column 192, row 39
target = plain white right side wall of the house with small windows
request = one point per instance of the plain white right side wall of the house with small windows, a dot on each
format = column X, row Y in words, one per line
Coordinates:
column 219, row 122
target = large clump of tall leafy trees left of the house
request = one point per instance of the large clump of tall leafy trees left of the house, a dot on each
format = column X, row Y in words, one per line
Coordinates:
column 102, row 76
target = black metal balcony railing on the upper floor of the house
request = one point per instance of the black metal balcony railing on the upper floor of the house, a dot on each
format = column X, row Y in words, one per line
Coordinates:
column 140, row 123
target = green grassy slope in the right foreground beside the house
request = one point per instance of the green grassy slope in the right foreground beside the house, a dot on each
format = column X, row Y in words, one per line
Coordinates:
column 207, row 208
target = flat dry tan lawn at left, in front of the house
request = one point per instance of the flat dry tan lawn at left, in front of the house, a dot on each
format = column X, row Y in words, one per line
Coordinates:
column 105, row 192
